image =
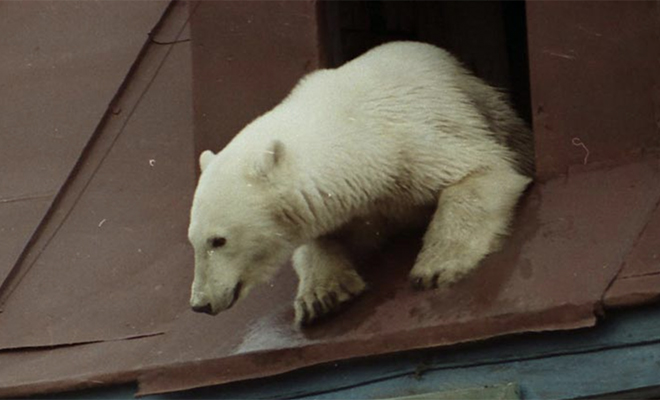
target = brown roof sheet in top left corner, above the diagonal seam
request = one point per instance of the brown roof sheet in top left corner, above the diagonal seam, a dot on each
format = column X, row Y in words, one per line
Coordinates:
column 58, row 74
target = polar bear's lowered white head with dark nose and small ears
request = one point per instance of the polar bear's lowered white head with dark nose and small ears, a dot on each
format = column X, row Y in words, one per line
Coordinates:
column 234, row 230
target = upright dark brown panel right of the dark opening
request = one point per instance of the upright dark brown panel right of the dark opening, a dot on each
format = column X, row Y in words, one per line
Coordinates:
column 594, row 69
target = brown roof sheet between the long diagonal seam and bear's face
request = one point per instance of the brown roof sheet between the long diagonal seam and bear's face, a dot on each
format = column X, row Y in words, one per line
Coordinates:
column 120, row 252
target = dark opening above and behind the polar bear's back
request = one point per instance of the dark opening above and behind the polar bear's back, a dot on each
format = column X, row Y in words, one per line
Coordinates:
column 489, row 37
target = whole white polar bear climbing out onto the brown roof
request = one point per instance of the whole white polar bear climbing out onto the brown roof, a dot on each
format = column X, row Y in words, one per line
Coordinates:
column 400, row 135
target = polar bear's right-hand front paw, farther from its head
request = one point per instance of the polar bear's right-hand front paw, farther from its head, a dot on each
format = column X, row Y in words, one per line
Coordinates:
column 428, row 275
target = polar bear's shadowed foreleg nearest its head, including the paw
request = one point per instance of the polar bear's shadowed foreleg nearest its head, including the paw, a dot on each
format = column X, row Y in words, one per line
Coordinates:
column 327, row 280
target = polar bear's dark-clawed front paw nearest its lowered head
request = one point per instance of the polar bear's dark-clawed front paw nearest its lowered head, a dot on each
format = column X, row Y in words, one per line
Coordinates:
column 319, row 299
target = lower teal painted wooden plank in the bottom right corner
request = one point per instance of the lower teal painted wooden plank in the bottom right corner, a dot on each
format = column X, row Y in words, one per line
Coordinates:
column 559, row 377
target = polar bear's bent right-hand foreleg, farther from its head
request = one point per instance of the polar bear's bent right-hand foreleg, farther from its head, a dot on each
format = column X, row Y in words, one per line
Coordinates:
column 472, row 217
